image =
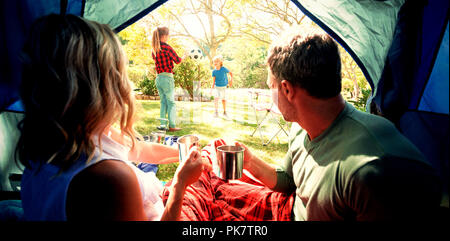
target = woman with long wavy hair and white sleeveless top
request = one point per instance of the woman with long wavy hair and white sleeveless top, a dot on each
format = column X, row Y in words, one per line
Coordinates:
column 74, row 88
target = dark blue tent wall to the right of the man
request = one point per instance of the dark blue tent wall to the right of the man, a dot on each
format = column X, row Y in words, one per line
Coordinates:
column 413, row 91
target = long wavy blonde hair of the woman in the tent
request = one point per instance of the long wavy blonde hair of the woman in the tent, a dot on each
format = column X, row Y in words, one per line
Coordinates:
column 74, row 86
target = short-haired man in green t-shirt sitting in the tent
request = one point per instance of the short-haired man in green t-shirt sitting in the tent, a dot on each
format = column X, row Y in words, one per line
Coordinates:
column 343, row 164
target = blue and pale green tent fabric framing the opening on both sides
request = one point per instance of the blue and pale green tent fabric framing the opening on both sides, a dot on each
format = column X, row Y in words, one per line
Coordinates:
column 401, row 46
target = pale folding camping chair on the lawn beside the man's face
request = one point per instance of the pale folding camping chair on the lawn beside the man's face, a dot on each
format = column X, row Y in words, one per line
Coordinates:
column 258, row 103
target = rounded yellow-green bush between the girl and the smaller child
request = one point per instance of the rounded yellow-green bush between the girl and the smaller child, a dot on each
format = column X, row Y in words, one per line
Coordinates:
column 188, row 72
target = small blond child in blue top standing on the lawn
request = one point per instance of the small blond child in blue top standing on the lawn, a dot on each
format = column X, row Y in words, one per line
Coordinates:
column 220, row 83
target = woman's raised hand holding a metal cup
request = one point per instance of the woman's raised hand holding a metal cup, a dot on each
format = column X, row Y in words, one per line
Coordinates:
column 190, row 169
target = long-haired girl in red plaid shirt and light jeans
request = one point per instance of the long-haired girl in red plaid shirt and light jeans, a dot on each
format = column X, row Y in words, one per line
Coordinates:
column 165, row 56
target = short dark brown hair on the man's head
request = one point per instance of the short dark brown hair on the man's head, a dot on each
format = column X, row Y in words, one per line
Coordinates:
column 308, row 58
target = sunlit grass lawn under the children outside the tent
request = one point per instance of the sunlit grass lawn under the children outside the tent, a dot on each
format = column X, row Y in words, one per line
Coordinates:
column 198, row 118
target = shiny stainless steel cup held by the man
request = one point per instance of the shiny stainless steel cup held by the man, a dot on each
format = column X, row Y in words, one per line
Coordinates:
column 230, row 162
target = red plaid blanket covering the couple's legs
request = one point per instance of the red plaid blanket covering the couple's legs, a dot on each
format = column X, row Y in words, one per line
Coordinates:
column 213, row 199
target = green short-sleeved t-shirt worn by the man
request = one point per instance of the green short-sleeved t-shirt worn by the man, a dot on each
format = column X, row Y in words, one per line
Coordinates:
column 359, row 168
